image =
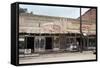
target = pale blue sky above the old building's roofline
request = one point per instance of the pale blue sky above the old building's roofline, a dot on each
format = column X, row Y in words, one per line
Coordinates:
column 69, row 12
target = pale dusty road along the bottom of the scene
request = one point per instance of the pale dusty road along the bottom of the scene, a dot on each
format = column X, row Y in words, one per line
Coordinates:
column 87, row 55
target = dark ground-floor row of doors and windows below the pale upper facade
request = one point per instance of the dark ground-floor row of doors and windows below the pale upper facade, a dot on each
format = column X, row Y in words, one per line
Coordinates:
column 46, row 43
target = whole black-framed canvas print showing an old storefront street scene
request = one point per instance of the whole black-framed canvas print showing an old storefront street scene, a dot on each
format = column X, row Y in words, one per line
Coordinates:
column 52, row 33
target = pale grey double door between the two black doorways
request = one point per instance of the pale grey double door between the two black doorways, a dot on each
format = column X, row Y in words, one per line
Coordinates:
column 39, row 44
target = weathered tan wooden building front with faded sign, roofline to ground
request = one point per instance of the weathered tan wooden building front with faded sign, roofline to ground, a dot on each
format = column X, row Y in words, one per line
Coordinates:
column 43, row 34
